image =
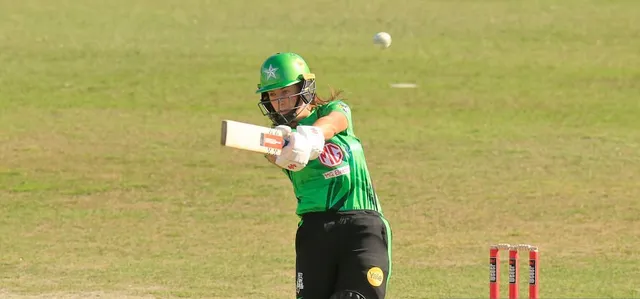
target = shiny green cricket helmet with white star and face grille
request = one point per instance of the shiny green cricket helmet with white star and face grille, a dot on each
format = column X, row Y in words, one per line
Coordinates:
column 283, row 70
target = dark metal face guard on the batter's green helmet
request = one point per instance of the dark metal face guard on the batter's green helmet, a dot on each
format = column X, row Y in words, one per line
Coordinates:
column 305, row 96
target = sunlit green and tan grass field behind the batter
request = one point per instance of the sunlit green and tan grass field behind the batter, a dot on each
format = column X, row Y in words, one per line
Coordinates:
column 524, row 128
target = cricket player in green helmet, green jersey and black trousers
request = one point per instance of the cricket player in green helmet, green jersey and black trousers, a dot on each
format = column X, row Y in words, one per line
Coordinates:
column 343, row 242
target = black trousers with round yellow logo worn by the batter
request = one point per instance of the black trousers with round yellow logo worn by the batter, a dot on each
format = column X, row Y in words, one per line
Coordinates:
column 342, row 251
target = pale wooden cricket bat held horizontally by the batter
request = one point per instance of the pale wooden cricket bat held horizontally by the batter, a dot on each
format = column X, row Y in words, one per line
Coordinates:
column 250, row 137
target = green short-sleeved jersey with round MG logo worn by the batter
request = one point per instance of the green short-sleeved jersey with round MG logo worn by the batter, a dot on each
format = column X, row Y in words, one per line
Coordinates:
column 338, row 180
